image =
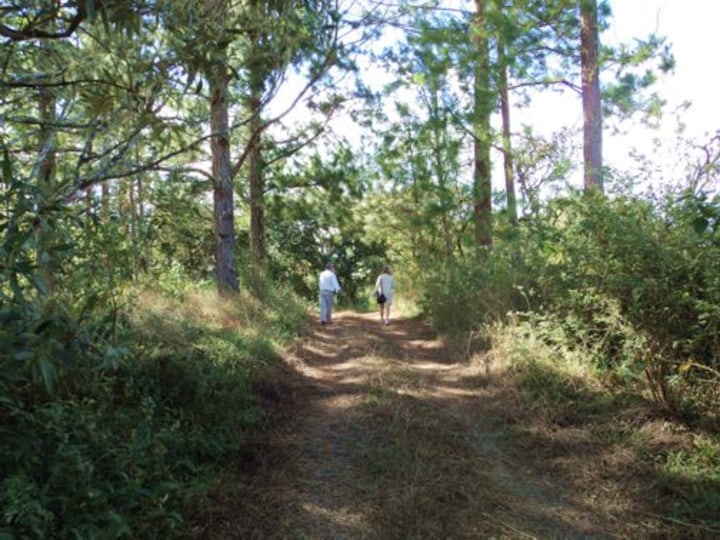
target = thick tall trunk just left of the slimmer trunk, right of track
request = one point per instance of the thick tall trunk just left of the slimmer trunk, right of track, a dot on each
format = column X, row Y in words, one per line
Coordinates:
column 483, row 106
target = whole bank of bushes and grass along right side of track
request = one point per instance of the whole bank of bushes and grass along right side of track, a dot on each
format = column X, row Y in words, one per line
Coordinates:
column 606, row 307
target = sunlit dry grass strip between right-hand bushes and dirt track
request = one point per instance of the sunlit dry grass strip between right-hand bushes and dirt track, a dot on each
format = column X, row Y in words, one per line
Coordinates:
column 565, row 389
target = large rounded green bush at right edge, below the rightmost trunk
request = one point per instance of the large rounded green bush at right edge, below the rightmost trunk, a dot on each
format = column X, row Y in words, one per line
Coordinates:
column 636, row 282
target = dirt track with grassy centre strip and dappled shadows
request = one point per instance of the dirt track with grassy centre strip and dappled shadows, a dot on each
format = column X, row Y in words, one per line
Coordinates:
column 386, row 432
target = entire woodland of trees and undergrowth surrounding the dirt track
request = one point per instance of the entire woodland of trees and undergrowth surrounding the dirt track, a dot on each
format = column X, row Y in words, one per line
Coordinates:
column 174, row 174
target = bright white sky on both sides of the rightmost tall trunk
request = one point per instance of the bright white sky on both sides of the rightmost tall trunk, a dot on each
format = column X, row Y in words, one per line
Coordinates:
column 691, row 27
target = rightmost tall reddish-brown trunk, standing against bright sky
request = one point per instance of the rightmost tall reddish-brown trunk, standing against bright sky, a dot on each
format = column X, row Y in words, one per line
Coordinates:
column 592, row 112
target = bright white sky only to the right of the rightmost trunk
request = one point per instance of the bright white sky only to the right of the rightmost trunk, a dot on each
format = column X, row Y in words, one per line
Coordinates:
column 691, row 28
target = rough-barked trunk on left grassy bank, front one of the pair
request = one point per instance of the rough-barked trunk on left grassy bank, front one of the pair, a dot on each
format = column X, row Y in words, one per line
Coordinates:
column 223, row 207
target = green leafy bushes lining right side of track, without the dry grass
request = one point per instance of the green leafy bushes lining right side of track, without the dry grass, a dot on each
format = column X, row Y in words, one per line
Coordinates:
column 634, row 285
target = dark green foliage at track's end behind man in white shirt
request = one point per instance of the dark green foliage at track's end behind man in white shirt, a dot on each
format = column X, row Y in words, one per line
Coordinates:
column 324, row 221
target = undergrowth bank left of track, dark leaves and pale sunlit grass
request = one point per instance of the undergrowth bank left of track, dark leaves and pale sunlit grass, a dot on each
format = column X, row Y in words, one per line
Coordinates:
column 93, row 449
